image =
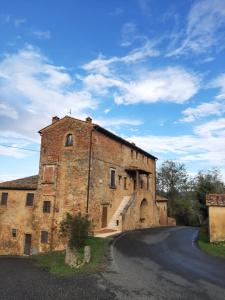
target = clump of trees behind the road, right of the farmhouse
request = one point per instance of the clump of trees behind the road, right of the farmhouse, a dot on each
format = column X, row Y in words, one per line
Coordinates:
column 187, row 196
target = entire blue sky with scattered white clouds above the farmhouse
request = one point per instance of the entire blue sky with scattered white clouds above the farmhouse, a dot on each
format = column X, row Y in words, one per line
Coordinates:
column 150, row 71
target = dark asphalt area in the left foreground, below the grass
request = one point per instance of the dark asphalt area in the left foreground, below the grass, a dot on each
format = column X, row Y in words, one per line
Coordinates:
column 21, row 279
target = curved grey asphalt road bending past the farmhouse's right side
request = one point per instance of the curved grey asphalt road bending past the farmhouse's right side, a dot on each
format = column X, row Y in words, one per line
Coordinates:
column 164, row 263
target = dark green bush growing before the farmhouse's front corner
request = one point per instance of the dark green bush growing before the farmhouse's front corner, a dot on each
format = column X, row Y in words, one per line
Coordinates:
column 76, row 229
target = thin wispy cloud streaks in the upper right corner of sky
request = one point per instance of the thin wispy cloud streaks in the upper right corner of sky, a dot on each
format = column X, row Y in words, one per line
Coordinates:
column 204, row 29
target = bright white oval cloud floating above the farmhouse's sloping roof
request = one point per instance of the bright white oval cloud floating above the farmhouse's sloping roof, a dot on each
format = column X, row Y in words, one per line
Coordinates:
column 172, row 84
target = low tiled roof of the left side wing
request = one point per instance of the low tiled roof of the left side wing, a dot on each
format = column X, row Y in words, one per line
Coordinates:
column 27, row 183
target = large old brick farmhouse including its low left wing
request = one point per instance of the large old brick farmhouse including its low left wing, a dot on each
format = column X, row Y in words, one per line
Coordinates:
column 83, row 168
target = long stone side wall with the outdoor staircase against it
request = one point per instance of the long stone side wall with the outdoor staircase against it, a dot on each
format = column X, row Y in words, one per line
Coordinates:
column 106, row 154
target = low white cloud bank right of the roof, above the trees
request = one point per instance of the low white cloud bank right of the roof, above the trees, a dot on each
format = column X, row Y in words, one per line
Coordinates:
column 206, row 145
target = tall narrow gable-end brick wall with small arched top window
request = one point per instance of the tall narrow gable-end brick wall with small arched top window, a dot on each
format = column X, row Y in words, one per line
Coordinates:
column 63, row 178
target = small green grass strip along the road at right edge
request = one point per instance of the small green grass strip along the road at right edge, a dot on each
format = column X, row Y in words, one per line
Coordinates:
column 215, row 249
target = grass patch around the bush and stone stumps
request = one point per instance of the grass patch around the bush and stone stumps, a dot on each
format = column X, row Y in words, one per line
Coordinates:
column 54, row 261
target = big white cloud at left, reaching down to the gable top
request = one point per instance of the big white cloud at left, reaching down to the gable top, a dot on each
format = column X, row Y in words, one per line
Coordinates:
column 37, row 90
